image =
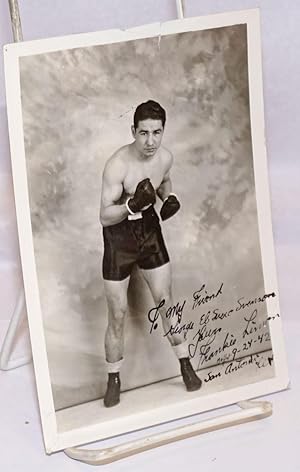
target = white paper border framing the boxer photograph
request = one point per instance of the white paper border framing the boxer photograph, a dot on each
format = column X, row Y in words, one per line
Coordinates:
column 53, row 439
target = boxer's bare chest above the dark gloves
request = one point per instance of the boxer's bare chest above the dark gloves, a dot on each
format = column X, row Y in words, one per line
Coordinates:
column 138, row 172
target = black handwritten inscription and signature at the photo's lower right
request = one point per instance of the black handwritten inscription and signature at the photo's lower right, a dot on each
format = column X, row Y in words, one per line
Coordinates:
column 211, row 341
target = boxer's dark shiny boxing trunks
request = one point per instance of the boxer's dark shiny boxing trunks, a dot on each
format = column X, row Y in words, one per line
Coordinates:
column 133, row 241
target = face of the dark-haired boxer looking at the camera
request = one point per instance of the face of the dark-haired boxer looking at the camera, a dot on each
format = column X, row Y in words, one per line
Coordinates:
column 148, row 136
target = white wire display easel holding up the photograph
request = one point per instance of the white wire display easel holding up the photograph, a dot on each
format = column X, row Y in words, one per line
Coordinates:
column 249, row 411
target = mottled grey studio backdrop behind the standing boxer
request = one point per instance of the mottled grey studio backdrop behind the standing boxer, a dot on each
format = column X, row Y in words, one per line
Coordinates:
column 77, row 110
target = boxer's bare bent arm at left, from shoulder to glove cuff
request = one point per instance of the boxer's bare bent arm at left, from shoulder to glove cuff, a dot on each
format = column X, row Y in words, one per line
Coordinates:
column 111, row 212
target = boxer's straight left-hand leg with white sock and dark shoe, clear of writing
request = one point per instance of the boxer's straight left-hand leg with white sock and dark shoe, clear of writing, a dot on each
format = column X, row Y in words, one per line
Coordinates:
column 116, row 296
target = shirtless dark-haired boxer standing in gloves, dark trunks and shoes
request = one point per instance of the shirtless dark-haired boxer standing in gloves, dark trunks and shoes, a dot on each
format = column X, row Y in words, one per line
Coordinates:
column 134, row 176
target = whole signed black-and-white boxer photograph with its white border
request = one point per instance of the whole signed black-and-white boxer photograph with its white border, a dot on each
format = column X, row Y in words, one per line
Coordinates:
column 141, row 189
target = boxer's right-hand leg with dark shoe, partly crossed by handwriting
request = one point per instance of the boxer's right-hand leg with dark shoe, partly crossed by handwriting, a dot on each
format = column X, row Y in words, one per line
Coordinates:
column 159, row 282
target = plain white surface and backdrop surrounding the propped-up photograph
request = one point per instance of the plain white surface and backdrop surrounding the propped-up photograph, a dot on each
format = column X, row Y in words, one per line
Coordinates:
column 269, row 444
